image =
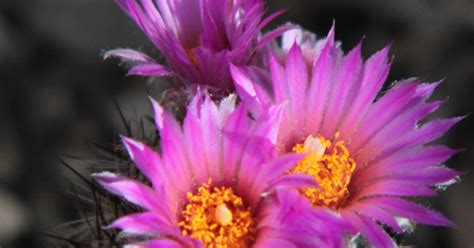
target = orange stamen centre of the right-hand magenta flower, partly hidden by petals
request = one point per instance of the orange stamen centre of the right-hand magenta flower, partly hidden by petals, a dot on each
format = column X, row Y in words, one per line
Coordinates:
column 330, row 164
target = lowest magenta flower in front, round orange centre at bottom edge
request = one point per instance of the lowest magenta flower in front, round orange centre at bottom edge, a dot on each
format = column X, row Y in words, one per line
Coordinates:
column 212, row 183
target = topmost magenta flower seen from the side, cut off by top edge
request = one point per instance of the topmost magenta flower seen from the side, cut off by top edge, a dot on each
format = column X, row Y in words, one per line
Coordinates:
column 198, row 38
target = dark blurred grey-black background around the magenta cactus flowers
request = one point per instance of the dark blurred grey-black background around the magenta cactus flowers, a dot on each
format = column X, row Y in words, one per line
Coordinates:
column 56, row 94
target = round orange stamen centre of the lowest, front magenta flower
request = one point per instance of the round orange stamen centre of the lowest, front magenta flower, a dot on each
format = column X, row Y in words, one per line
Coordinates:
column 218, row 218
